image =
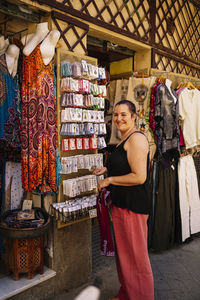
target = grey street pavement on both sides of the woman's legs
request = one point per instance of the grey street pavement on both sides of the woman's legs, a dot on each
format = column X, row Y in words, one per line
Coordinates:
column 176, row 274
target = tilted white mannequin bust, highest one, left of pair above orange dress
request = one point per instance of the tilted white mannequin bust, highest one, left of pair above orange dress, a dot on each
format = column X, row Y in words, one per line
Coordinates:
column 41, row 32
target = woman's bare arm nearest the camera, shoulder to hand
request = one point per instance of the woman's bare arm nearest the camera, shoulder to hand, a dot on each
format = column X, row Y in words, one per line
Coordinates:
column 137, row 149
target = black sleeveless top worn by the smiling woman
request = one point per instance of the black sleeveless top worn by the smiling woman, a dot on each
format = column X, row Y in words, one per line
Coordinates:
column 136, row 198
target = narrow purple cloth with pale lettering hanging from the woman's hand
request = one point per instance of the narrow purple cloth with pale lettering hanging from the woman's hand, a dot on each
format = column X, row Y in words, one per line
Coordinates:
column 106, row 243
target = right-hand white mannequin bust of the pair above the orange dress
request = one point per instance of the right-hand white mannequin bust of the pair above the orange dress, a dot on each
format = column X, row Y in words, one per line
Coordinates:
column 48, row 45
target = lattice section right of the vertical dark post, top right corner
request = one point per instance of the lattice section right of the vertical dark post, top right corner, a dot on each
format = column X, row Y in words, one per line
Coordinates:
column 177, row 27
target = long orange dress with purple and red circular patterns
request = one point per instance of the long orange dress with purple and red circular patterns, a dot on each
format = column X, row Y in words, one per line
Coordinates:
column 38, row 125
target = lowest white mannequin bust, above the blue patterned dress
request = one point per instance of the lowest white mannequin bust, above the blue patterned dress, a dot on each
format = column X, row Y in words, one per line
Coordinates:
column 12, row 55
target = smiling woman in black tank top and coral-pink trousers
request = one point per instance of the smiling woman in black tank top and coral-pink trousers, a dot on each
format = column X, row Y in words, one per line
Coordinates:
column 127, row 179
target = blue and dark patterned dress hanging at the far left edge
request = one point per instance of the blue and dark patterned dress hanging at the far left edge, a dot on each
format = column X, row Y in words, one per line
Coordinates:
column 9, row 110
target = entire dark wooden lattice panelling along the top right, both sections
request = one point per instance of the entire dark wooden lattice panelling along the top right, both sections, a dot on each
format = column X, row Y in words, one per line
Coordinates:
column 168, row 25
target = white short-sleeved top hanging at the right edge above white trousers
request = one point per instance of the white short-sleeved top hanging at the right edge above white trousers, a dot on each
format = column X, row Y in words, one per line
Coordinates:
column 189, row 108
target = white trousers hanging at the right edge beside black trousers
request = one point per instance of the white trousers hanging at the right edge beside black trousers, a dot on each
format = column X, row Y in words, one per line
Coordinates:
column 189, row 197
